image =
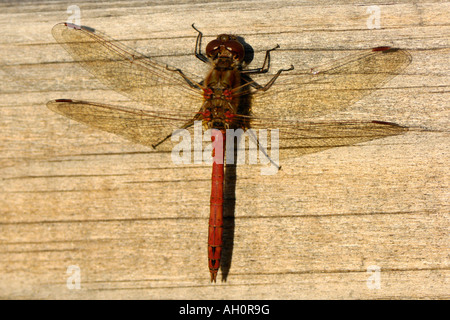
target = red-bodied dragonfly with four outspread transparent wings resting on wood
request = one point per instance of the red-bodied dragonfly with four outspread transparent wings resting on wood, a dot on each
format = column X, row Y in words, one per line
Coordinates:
column 227, row 98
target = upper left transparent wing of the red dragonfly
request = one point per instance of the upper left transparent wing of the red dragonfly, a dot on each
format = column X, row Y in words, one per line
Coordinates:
column 128, row 71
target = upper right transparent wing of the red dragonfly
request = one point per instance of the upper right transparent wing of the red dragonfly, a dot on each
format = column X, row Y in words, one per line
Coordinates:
column 329, row 88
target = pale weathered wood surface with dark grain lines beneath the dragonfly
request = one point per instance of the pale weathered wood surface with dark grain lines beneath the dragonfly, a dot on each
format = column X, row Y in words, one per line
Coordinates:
column 136, row 224
